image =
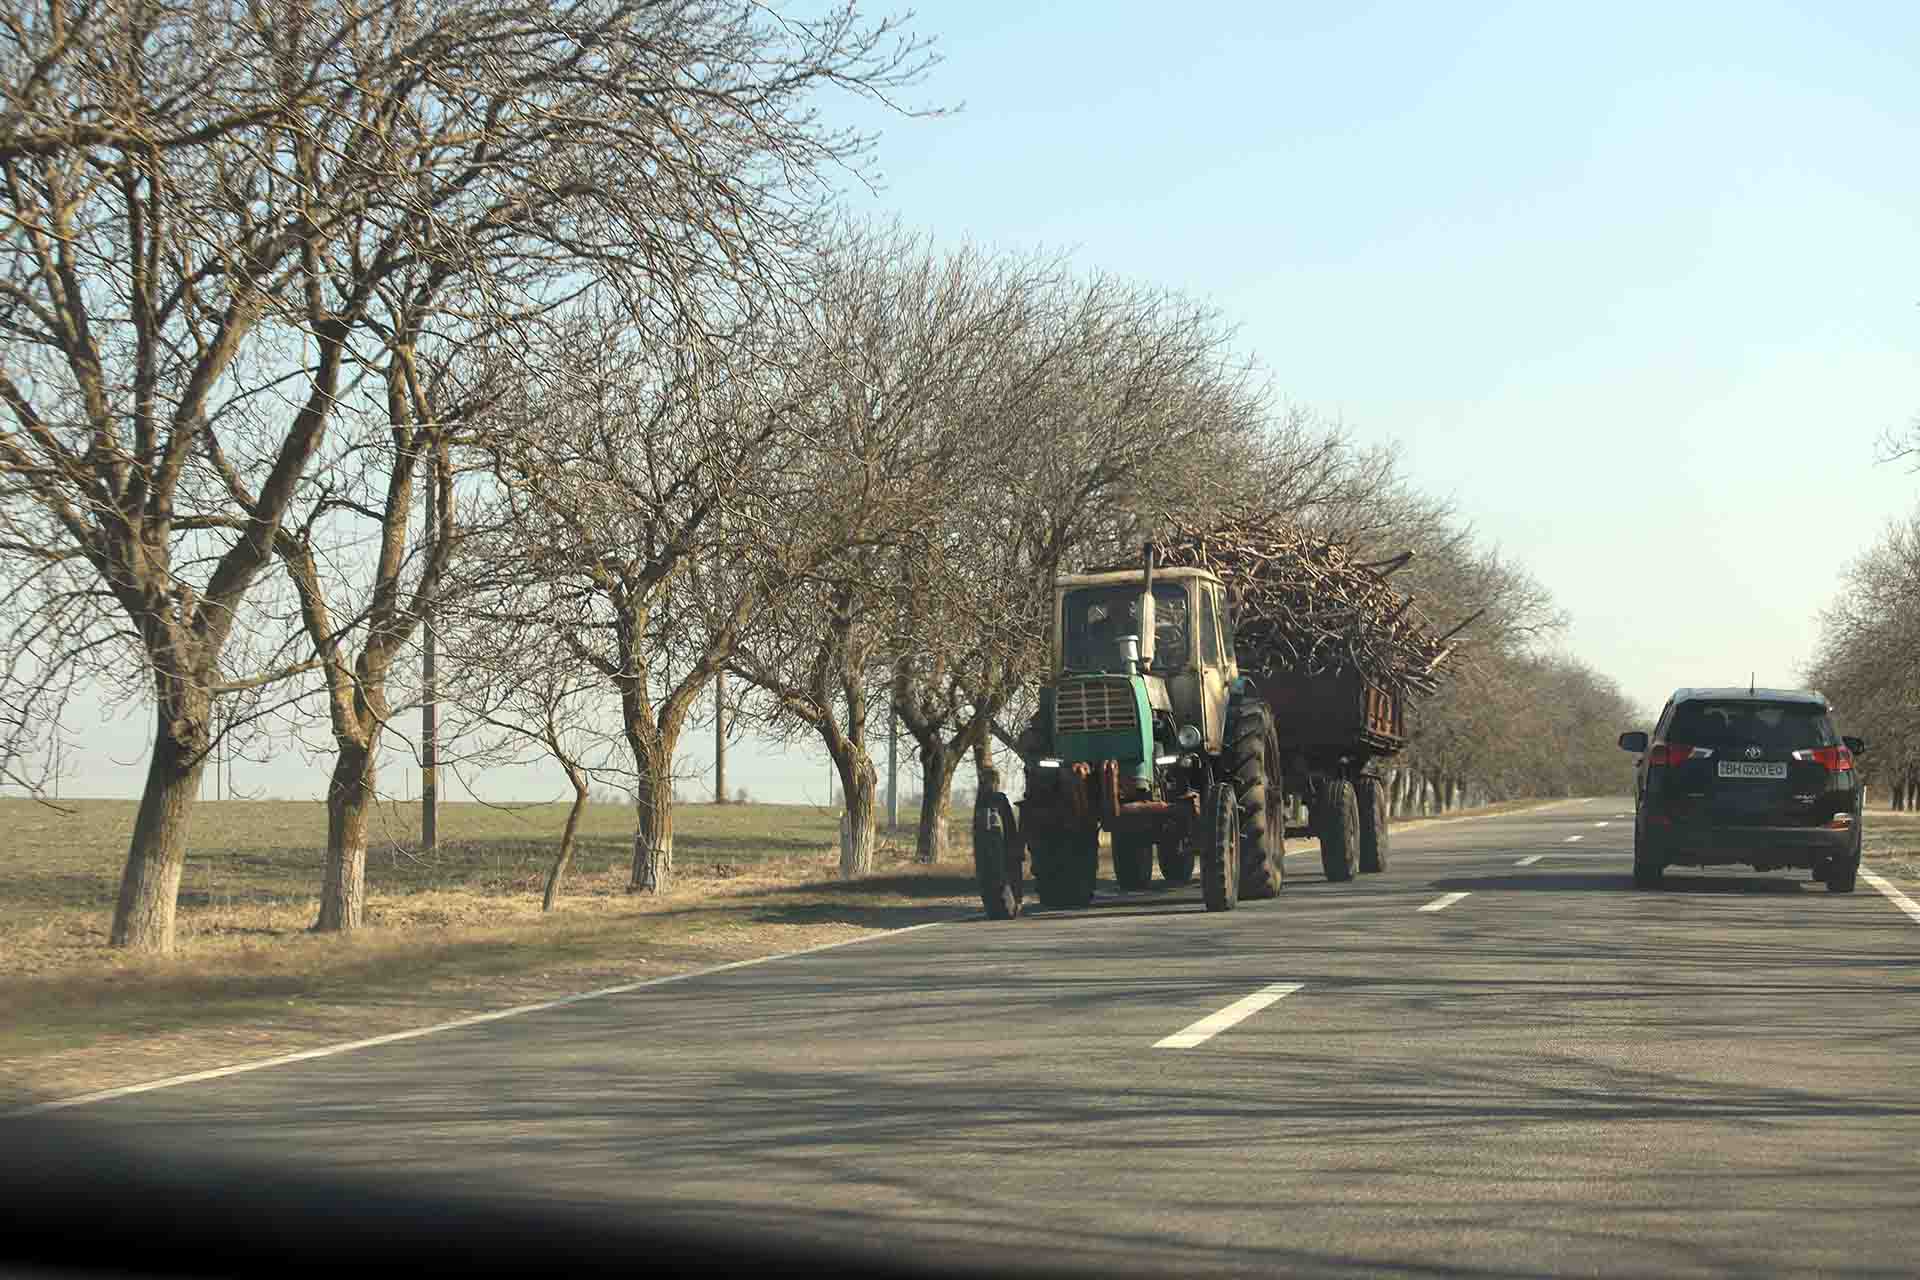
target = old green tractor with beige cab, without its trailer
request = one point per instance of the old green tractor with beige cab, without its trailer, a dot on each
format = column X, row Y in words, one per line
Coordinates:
column 1147, row 732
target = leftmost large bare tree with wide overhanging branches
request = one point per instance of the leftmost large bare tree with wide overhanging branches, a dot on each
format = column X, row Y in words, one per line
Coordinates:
column 204, row 204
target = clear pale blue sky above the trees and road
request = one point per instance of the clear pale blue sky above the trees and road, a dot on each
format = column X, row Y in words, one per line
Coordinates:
column 1635, row 285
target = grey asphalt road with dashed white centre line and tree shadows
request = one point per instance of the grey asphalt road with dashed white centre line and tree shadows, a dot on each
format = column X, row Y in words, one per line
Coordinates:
column 1548, row 1074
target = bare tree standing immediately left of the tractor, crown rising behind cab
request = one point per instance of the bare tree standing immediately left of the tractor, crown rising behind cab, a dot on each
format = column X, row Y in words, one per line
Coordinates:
column 1113, row 408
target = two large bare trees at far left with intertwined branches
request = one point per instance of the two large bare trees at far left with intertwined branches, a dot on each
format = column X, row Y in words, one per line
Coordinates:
column 268, row 266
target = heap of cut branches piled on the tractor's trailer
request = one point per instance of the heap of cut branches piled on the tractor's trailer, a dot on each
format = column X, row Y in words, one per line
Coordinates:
column 1307, row 605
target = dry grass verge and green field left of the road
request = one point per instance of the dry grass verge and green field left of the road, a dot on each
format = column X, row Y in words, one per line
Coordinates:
column 448, row 934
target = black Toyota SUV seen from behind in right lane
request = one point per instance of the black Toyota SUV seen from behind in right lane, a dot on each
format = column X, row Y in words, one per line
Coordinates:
column 1746, row 776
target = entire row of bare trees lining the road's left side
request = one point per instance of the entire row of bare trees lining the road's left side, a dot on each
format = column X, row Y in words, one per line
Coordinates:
column 533, row 331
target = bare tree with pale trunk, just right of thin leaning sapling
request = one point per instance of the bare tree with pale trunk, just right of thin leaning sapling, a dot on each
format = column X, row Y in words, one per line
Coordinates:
column 621, row 556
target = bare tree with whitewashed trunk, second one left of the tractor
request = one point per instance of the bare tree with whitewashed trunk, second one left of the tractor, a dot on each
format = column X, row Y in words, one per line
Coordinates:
column 901, row 339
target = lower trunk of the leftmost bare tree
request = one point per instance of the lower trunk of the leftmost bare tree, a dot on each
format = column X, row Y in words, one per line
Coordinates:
column 151, row 886
